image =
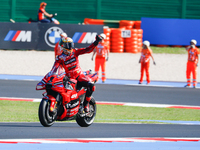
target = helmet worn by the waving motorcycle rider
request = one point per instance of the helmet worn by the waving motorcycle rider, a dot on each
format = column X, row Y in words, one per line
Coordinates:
column 68, row 45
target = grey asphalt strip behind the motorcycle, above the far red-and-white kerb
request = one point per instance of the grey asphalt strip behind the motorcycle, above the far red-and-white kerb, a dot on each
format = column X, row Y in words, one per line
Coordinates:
column 113, row 93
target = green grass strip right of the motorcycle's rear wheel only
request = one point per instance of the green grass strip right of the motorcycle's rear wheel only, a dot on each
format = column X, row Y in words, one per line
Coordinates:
column 107, row 113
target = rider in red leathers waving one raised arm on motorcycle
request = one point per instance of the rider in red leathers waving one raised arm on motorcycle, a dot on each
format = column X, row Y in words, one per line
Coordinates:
column 70, row 62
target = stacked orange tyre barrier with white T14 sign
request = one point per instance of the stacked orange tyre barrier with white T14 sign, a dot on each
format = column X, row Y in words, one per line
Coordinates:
column 130, row 42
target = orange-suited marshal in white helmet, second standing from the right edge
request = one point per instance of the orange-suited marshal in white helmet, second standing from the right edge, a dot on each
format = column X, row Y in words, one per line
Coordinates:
column 146, row 53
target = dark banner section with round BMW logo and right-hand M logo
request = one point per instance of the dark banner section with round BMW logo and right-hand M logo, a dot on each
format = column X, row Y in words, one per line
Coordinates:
column 82, row 35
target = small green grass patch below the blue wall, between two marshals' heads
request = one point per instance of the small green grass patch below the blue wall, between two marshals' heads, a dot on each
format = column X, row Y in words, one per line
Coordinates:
column 168, row 50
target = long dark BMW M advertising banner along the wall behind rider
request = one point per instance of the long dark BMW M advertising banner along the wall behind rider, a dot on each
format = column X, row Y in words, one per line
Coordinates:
column 40, row 36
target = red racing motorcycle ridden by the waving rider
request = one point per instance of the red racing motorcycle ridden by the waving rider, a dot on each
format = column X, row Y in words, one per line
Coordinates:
column 52, row 106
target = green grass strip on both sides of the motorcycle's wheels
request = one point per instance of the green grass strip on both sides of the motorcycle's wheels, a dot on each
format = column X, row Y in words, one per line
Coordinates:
column 17, row 111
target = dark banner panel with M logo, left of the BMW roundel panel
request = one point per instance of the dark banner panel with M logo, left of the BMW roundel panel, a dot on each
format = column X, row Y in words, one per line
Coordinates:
column 18, row 36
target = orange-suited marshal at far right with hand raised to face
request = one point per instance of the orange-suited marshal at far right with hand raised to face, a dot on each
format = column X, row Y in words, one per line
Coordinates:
column 192, row 63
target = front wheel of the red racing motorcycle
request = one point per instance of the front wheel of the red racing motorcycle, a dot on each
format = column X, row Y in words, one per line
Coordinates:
column 46, row 117
